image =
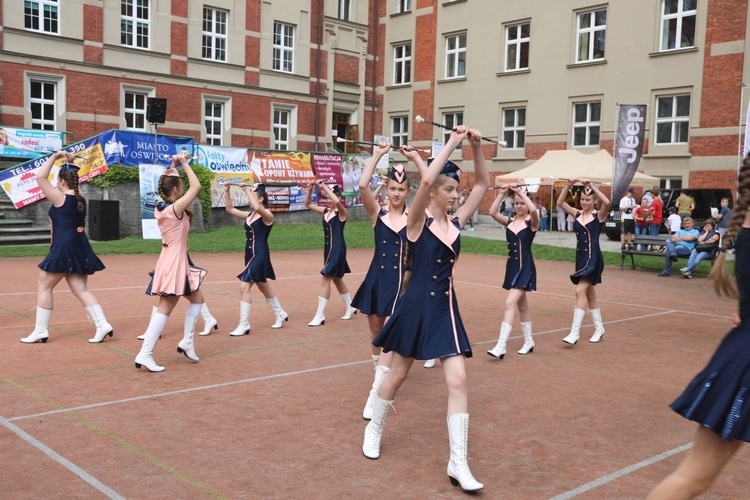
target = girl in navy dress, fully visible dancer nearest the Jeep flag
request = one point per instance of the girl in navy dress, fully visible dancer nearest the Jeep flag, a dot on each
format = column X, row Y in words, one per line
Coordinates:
column 589, row 260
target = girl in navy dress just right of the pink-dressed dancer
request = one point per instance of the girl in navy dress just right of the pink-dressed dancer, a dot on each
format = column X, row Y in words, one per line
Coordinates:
column 258, row 269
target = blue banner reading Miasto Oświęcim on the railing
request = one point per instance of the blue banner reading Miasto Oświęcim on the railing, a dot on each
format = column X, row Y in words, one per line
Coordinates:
column 132, row 149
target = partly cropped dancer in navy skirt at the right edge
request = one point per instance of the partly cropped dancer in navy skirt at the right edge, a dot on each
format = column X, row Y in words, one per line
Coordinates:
column 716, row 398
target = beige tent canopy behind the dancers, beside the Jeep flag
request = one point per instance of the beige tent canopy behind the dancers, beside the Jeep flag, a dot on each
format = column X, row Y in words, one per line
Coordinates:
column 556, row 166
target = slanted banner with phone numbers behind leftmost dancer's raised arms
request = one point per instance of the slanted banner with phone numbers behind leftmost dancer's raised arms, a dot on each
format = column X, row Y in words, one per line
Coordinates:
column 19, row 183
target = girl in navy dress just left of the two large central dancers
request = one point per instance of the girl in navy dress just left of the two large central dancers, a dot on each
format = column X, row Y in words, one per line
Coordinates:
column 334, row 252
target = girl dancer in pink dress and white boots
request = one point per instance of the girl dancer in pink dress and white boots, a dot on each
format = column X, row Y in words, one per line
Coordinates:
column 174, row 276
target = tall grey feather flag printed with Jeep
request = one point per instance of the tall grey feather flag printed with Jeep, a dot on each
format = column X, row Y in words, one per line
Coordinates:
column 628, row 147
